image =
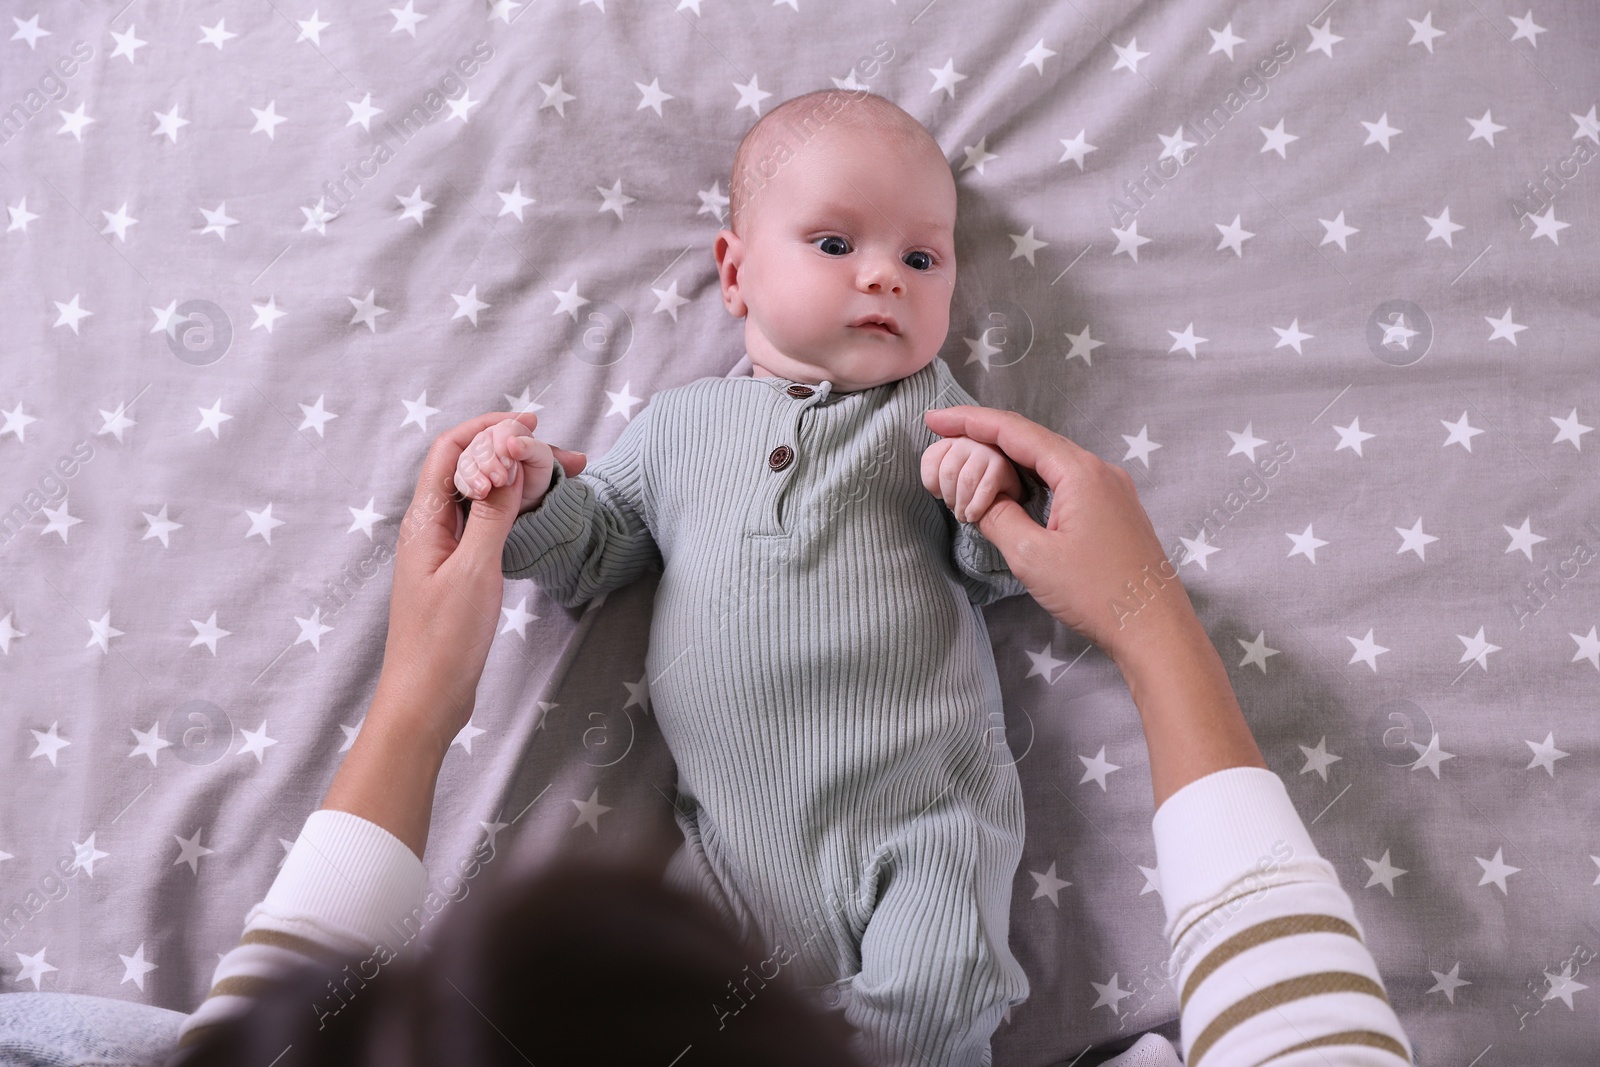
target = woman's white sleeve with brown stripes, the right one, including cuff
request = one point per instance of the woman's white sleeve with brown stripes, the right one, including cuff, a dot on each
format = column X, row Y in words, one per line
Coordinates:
column 1268, row 956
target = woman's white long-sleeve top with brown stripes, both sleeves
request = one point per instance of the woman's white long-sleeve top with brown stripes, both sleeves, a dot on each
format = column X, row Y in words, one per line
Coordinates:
column 1268, row 956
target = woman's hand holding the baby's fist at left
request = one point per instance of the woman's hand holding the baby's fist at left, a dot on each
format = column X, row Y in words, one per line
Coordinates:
column 447, row 593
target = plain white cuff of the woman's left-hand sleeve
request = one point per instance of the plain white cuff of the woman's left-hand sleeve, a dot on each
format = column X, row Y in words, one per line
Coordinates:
column 350, row 876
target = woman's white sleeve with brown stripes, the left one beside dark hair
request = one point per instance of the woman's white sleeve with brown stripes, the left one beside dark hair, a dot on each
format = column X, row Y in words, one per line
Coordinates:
column 346, row 887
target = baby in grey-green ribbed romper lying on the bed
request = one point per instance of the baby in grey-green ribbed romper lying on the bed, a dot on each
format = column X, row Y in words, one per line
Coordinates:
column 818, row 663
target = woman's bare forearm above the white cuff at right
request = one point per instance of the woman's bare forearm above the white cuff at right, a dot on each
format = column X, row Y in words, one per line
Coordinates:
column 1191, row 717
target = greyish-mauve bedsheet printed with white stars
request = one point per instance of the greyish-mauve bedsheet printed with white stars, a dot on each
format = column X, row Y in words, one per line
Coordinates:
column 1321, row 278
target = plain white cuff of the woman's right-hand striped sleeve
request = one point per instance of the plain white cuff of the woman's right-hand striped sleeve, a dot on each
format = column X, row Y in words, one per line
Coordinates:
column 1222, row 829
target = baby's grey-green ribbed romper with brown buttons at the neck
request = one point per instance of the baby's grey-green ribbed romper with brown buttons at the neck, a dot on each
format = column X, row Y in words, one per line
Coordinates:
column 825, row 681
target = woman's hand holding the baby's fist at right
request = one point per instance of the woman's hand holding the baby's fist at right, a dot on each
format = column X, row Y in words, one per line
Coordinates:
column 1098, row 537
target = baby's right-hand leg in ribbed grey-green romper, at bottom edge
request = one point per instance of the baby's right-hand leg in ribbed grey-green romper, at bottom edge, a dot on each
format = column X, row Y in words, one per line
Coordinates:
column 937, row 970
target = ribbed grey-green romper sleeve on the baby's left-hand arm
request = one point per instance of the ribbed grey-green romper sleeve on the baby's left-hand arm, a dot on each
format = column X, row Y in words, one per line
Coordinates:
column 591, row 533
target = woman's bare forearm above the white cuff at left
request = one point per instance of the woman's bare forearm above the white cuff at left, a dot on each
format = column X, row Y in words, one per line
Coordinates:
column 391, row 772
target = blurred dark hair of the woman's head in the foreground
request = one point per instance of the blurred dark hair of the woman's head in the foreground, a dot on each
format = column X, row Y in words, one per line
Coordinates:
column 591, row 962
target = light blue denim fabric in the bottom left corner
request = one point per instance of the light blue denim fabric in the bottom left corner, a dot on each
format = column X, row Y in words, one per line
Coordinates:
column 70, row 1029
